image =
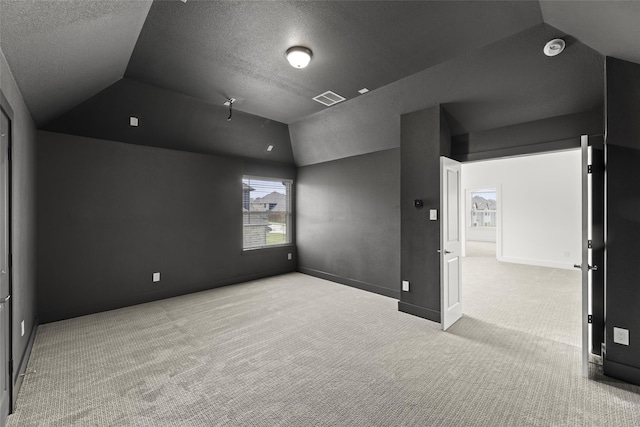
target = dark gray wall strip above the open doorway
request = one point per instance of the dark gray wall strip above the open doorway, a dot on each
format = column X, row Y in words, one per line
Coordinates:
column 554, row 133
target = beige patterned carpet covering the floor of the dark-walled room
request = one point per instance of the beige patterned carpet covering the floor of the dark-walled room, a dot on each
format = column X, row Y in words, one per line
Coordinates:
column 294, row 350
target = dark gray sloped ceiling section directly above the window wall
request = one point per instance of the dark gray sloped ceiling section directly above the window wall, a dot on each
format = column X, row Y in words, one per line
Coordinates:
column 177, row 122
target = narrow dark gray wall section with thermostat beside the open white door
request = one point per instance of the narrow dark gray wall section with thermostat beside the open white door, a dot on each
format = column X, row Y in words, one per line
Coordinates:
column 424, row 138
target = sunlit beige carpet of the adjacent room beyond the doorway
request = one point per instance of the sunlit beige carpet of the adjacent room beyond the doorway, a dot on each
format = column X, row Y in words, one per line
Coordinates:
column 541, row 301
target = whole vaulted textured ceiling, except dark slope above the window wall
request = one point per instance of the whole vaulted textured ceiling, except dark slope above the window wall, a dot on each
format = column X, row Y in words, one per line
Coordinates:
column 481, row 59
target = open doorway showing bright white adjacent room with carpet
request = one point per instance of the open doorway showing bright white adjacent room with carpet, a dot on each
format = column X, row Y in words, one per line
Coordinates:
column 523, row 278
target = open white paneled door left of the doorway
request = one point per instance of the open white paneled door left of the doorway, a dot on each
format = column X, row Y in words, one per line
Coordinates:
column 450, row 280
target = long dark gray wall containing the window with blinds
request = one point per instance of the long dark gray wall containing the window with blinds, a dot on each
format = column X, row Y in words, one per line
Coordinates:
column 111, row 214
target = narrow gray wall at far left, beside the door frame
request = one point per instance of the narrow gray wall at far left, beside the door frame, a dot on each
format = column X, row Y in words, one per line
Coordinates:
column 23, row 212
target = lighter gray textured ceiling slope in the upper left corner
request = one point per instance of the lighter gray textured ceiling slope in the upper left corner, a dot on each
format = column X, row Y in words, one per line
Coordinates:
column 63, row 52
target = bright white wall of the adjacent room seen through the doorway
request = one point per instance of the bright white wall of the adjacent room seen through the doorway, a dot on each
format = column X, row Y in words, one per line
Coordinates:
column 540, row 206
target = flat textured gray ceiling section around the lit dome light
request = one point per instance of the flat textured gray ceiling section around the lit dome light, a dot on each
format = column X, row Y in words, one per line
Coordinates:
column 215, row 50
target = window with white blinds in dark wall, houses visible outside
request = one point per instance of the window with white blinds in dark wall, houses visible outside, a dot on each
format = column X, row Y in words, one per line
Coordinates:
column 266, row 212
